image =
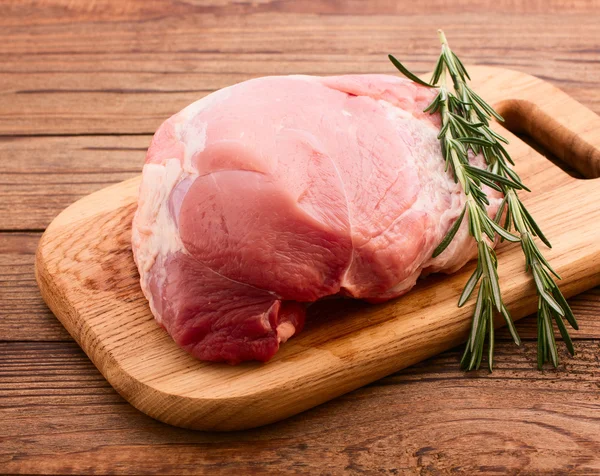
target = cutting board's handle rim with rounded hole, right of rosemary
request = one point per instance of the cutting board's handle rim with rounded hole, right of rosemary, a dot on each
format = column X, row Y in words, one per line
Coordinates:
column 549, row 116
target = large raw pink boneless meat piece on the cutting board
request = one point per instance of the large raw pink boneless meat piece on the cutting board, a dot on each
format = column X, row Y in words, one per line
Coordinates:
column 280, row 191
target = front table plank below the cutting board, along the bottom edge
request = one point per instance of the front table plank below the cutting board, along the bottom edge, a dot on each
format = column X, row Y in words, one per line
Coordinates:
column 59, row 415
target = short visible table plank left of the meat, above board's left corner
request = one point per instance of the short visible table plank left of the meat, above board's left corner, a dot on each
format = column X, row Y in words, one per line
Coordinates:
column 41, row 176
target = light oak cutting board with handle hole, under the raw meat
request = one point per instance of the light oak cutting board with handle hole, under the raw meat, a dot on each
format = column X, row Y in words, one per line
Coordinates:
column 87, row 276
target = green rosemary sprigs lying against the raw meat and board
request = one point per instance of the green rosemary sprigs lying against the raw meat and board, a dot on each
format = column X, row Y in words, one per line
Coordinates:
column 465, row 132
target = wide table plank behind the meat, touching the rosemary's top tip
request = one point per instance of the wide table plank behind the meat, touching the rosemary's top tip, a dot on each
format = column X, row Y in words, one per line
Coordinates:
column 100, row 88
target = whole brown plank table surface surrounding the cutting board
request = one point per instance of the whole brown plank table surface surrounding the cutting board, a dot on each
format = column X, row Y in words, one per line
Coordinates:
column 82, row 87
